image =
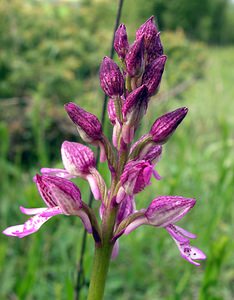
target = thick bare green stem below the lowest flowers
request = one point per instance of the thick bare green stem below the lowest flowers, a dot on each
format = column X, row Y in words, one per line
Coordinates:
column 99, row 272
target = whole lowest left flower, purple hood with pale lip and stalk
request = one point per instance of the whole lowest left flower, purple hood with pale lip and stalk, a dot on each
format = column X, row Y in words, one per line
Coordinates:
column 60, row 196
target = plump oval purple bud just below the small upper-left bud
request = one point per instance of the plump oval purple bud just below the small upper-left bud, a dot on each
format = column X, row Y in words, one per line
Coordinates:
column 111, row 79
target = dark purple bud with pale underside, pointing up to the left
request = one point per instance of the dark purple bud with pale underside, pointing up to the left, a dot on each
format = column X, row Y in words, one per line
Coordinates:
column 88, row 125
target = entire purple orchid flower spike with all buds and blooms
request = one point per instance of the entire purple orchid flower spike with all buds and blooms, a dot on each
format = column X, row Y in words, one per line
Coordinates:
column 131, row 165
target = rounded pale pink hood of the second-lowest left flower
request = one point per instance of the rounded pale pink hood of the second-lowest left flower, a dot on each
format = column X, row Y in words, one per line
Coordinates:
column 78, row 159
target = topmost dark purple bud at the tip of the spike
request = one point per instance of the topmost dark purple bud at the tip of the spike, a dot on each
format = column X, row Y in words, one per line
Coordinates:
column 153, row 46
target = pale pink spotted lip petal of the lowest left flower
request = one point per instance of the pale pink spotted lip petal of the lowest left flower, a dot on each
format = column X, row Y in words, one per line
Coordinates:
column 31, row 225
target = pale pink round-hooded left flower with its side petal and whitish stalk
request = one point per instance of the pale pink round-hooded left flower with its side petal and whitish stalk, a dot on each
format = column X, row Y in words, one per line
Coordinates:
column 79, row 161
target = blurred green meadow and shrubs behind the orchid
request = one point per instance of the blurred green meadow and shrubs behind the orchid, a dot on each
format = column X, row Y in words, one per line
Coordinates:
column 50, row 53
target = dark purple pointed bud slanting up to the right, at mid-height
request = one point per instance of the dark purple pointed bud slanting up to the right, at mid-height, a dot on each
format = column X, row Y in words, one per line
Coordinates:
column 164, row 126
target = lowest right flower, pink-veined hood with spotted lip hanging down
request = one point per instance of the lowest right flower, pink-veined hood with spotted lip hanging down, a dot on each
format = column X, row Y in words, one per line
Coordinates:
column 164, row 211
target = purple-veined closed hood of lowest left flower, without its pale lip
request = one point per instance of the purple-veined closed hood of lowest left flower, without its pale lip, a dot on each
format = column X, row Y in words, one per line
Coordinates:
column 61, row 192
